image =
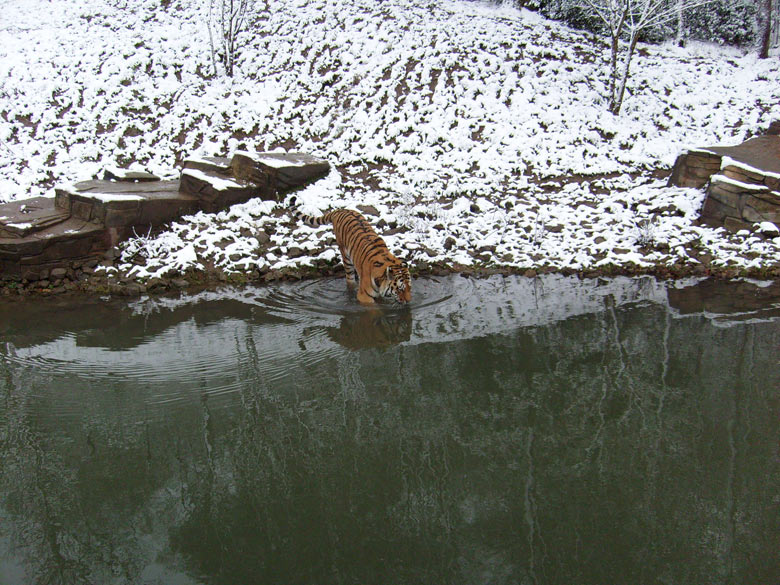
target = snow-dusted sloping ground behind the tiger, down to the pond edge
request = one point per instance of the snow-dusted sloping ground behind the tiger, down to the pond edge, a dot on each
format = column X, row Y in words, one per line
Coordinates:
column 478, row 132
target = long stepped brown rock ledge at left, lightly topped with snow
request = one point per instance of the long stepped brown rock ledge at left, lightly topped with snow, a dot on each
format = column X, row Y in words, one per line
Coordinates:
column 84, row 220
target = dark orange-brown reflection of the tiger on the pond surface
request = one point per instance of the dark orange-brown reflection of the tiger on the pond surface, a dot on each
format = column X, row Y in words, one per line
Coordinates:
column 370, row 328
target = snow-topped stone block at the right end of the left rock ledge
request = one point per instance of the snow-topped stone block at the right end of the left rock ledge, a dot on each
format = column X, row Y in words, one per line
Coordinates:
column 278, row 171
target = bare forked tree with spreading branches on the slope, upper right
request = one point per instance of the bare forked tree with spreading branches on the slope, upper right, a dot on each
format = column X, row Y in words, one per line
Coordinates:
column 624, row 21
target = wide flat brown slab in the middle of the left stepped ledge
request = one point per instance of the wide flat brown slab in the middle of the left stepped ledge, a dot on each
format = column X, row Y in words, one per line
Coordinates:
column 124, row 205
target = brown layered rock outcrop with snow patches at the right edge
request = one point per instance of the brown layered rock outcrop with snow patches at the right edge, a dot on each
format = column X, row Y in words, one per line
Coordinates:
column 742, row 182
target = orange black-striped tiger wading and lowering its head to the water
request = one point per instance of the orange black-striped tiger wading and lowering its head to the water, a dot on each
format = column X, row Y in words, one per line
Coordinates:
column 365, row 256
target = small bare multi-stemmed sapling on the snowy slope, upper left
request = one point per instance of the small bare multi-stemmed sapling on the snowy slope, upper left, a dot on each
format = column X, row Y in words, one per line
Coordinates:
column 227, row 21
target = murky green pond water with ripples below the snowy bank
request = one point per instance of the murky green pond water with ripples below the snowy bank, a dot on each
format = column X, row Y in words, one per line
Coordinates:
column 497, row 431
